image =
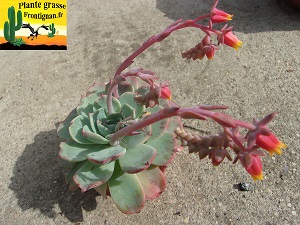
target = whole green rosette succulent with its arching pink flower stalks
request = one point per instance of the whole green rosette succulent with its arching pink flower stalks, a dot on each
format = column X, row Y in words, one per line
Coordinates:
column 122, row 134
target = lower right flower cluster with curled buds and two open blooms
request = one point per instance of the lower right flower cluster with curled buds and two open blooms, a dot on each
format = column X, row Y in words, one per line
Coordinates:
column 216, row 146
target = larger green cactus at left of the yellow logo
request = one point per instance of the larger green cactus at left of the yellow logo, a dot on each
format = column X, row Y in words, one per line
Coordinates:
column 9, row 26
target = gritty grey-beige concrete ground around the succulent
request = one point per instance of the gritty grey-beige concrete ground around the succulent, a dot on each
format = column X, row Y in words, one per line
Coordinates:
column 39, row 88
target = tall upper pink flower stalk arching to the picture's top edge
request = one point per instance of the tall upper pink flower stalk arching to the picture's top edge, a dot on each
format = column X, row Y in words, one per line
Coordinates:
column 205, row 47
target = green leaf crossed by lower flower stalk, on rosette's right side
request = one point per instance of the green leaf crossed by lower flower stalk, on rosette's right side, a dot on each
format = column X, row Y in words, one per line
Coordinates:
column 158, row 128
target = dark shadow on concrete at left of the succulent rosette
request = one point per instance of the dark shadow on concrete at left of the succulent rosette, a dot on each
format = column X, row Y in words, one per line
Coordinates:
column 38, row 181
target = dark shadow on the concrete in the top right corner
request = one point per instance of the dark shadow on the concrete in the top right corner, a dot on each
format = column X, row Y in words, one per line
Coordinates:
column 250, row 16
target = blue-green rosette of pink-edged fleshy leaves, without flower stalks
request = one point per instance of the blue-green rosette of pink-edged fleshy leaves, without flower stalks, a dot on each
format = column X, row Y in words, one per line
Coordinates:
column 129, row 172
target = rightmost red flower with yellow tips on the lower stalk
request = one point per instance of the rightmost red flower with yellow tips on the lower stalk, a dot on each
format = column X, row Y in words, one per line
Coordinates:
column 270, row 143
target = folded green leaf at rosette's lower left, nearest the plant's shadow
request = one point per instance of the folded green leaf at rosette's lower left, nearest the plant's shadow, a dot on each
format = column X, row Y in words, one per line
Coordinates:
column 91, row 175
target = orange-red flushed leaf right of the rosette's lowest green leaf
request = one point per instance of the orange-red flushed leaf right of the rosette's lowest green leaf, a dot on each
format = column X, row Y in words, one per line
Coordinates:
column 153, row 182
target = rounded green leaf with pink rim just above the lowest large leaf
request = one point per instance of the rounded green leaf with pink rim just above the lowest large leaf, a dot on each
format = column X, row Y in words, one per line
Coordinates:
column 137, row 159
